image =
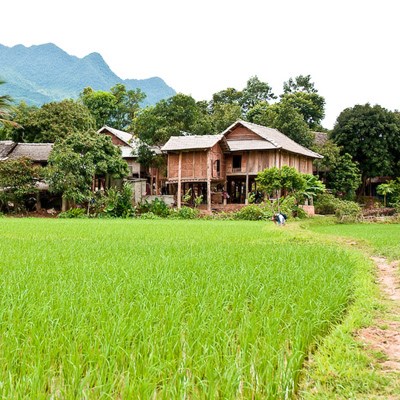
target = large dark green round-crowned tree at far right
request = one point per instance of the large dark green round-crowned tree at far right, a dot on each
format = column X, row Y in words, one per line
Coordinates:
column 371, row 135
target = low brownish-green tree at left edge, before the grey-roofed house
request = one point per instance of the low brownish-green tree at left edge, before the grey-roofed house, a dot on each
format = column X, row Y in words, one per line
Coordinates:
column 18, row 179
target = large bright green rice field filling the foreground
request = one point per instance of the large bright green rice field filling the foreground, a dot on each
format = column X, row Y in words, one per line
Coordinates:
column 163, row 309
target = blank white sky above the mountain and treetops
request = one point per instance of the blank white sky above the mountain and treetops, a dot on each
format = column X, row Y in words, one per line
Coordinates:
column 349, row 47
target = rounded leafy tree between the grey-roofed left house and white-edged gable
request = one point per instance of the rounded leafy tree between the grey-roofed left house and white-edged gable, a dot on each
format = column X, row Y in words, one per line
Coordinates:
column 76, row 159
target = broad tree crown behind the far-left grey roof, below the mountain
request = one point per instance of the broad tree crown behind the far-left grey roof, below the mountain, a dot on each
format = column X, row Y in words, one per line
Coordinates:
column 51, row 122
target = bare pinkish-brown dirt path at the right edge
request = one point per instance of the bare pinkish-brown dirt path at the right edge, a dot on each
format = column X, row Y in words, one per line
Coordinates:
column 384, row 336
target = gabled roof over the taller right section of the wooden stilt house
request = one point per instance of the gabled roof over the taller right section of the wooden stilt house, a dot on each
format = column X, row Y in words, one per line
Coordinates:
column 275, row 138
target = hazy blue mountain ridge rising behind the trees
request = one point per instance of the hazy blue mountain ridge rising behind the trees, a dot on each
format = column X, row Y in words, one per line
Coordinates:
column 44, row 73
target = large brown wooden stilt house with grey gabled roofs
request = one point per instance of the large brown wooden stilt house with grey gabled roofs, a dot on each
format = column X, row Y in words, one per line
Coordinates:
column 222, row 168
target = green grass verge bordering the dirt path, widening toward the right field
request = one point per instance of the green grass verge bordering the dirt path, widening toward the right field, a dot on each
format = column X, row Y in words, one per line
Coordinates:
column 343, row 368
